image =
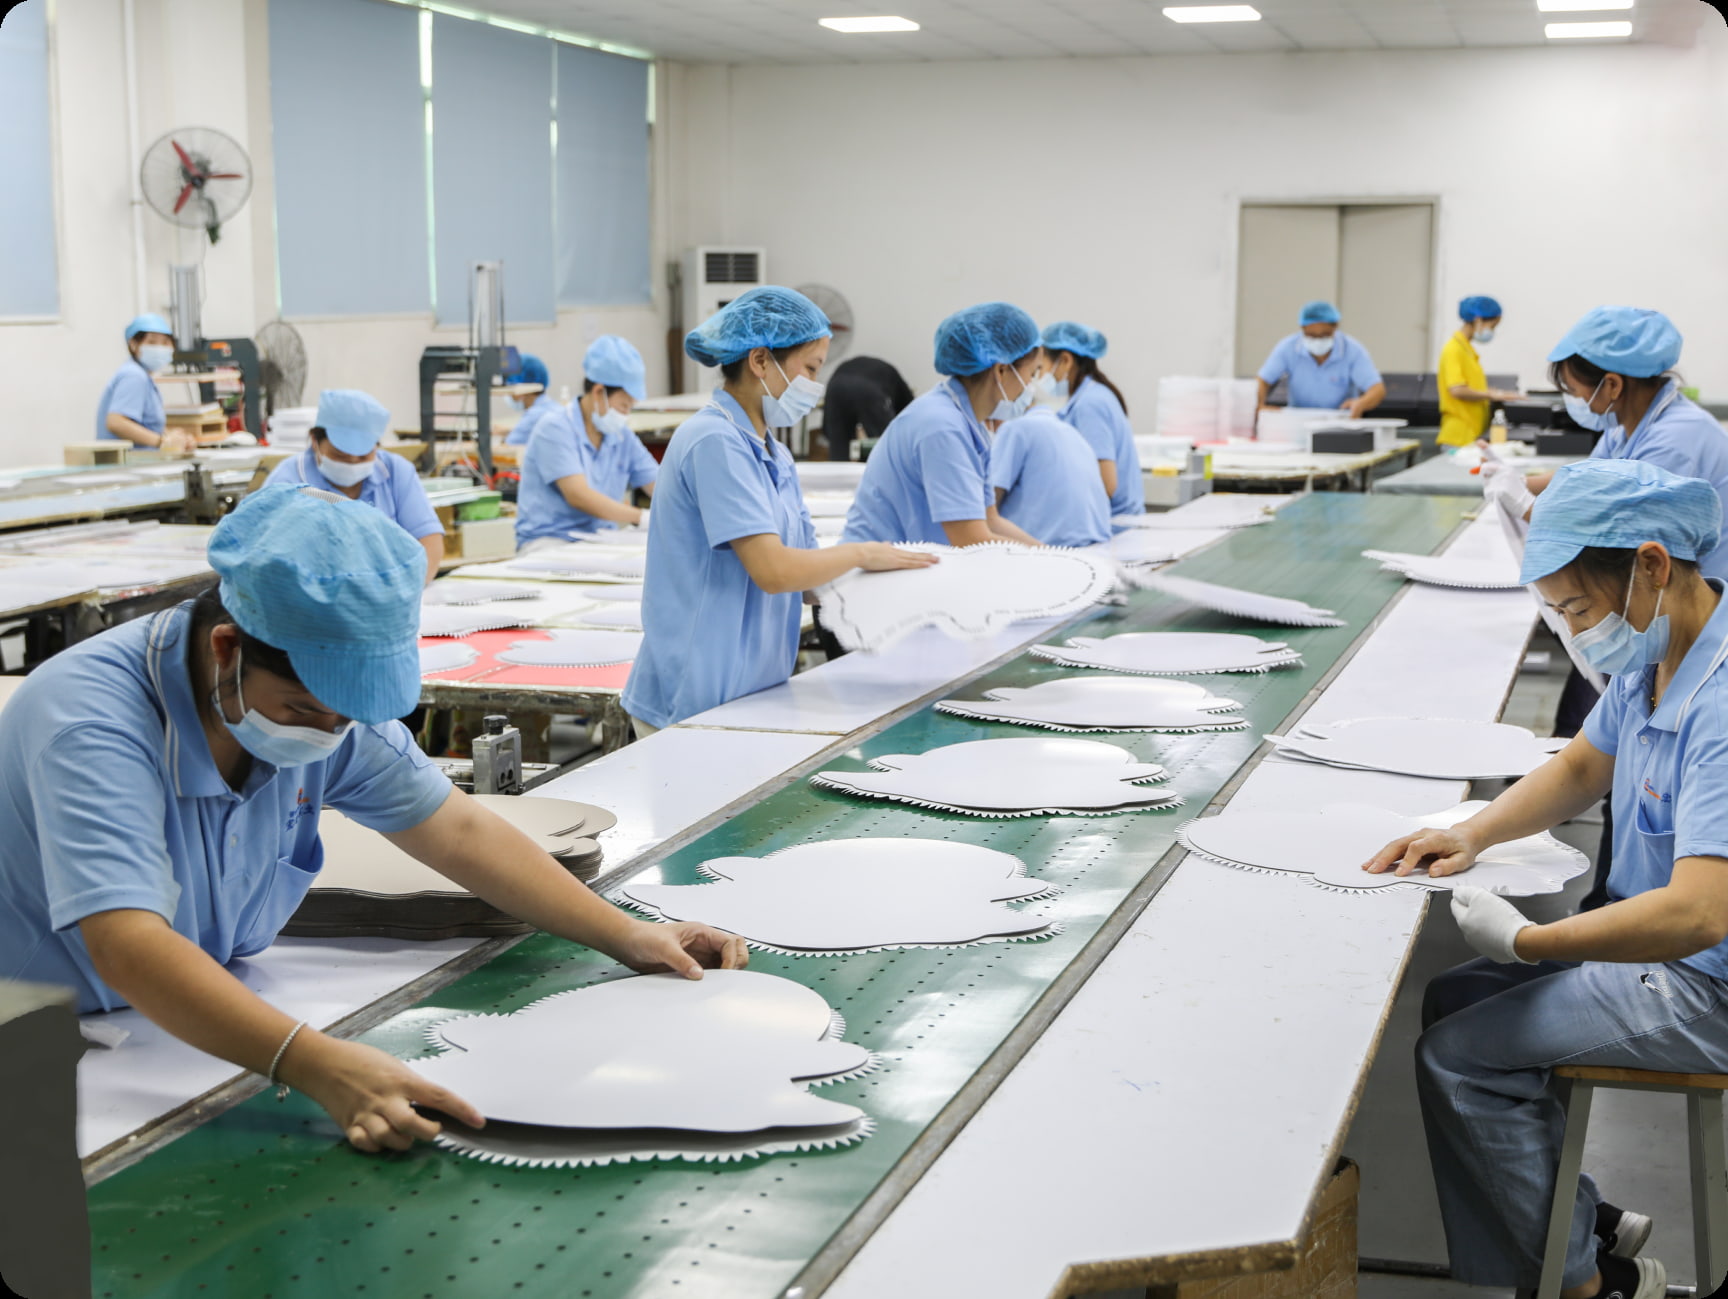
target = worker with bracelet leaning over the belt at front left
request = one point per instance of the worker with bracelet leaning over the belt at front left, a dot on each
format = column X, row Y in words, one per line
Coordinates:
column 162, row 794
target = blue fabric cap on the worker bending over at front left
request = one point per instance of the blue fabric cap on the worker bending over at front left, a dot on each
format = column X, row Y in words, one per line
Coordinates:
column 336, row 586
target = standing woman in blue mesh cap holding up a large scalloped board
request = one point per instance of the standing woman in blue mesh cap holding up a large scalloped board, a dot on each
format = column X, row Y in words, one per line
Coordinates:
column 732, row 543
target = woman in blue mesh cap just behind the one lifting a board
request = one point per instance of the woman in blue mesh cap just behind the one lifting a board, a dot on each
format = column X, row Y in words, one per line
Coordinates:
column 929, row 479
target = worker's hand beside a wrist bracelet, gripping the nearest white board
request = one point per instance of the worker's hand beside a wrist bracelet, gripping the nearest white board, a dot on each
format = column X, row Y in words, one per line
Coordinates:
column 371, row 1094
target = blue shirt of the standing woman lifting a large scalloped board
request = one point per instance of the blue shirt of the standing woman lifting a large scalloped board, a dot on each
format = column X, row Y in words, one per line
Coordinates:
column 711, row 633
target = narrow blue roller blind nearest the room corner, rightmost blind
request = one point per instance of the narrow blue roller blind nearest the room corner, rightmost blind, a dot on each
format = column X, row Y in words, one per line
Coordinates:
column 602, row 179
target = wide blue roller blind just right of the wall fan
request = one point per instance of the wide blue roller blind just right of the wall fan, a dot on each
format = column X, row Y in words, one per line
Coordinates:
column 348, row 127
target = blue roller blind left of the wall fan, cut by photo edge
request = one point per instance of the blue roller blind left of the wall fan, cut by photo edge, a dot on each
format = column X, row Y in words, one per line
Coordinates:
column 29, row 279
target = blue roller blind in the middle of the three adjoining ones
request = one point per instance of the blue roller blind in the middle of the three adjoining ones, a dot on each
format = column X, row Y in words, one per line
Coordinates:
column 492, row 165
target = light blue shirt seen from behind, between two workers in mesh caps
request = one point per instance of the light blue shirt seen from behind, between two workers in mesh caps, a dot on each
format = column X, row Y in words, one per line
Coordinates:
column 1051, row 481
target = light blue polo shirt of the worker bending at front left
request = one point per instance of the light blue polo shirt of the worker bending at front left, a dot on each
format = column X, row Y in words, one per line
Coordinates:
column 110, row 801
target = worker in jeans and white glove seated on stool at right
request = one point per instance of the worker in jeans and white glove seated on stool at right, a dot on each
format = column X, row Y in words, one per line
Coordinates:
column 1617, row 548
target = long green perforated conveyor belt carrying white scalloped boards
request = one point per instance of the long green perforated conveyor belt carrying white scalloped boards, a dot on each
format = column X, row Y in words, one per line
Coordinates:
column 267, row 1203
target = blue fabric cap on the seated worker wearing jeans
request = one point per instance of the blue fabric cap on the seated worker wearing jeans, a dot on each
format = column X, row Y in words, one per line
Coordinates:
column 1620, row 504
